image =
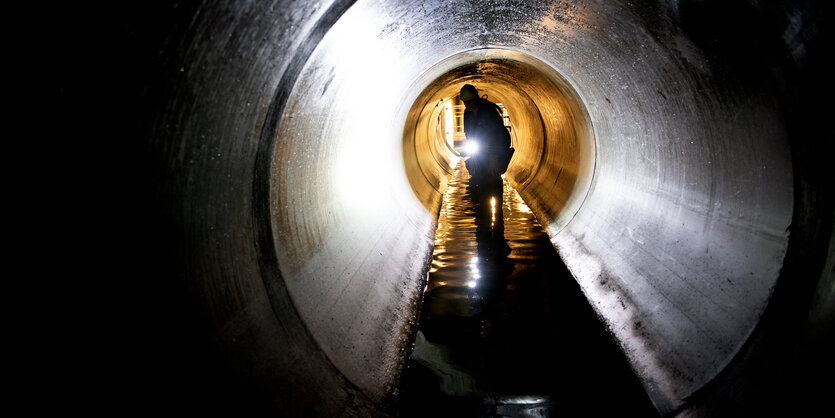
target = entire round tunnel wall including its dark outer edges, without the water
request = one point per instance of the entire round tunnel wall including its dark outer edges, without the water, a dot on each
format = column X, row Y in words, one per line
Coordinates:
column 675, row 152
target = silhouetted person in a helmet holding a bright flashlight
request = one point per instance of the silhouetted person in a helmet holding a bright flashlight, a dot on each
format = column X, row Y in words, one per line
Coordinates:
column 484, row 126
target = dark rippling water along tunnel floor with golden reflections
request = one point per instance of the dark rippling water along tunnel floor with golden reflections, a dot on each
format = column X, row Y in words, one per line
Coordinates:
column 504, row 328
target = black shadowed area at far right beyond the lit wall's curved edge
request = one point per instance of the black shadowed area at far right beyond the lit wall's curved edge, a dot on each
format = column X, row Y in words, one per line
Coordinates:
column 785, row 367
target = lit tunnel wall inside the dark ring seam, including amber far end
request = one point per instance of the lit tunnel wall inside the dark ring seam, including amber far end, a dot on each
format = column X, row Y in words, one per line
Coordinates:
column 671, row 239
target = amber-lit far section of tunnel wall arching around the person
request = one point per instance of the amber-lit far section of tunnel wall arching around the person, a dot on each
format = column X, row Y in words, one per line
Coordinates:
column 550, row 129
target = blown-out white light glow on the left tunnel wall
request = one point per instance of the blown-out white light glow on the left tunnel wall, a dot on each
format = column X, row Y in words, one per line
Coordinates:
column 359, row 152
